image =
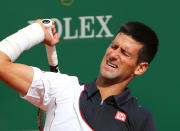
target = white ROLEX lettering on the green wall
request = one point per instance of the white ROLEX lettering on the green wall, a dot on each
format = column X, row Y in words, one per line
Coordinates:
column 86, row 29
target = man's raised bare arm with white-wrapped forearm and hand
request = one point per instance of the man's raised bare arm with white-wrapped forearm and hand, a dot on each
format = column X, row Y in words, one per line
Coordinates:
column 19, row 76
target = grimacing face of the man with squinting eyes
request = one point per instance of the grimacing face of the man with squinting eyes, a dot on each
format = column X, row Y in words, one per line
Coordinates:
column 120, row 59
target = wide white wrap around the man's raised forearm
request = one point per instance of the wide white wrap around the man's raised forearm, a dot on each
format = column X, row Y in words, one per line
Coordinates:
column 22, row 40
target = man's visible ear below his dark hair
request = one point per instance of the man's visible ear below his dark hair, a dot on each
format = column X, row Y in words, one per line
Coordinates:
column 141, row 68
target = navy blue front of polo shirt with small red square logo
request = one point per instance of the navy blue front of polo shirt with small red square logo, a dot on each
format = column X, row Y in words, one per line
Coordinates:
column 116, row 113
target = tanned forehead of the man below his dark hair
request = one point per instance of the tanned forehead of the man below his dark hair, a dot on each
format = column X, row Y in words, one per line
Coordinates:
column 127, row 42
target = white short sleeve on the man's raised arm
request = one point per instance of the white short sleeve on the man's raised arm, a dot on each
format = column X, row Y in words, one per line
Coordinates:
column 45, row 87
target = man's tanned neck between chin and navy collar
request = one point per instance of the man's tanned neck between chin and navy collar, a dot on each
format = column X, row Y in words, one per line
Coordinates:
column 109, row 87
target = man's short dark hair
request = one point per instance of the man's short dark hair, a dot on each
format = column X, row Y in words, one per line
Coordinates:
column 146, row 36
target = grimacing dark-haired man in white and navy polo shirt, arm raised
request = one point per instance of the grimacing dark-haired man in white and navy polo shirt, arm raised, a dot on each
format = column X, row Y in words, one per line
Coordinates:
column 103, row 105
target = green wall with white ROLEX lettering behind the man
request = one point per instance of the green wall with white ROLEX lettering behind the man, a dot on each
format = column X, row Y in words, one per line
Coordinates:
column 86, row 28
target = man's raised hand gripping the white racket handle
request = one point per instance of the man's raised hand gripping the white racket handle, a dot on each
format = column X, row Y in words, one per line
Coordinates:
column 51, row 41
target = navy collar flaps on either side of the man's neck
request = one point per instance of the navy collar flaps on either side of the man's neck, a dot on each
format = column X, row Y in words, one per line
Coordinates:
column 118, row 99
